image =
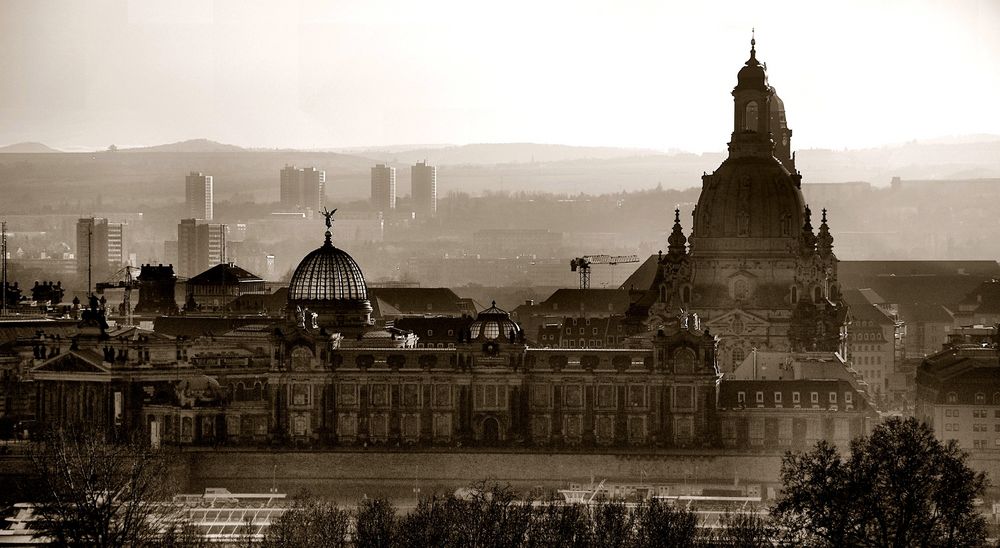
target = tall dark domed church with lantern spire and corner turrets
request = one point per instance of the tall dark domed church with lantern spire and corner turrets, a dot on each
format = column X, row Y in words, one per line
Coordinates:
column 752, row 267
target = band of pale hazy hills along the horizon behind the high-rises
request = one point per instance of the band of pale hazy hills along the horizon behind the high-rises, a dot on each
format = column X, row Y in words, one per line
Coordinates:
column 126, row 177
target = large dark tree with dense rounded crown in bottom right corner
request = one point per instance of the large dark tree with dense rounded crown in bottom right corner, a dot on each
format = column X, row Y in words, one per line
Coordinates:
column 899, row 486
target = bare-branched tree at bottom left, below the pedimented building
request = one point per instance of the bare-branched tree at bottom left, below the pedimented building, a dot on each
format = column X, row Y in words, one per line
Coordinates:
column 96, row 493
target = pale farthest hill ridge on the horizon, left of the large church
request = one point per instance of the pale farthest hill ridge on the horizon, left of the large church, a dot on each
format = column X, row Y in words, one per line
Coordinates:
column 497, row 153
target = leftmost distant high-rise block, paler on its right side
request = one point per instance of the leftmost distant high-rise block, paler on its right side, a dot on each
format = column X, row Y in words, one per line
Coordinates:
column 99, row 248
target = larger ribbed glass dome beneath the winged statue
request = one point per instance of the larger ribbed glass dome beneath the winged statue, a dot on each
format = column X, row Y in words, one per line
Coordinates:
column 328, row 274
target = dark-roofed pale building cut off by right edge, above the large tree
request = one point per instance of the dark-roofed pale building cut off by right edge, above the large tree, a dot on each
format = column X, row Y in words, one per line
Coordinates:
column 958, row 392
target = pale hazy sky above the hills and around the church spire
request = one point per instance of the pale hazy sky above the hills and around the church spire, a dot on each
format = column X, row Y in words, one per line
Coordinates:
column 652, row 74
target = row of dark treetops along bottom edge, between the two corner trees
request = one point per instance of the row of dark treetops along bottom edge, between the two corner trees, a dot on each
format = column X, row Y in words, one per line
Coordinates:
column 495, row 516
